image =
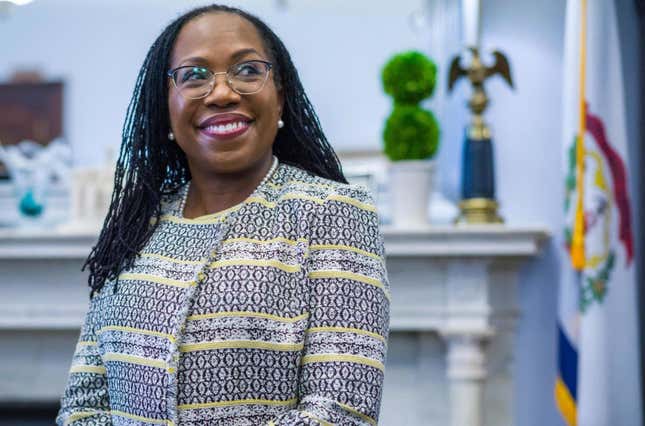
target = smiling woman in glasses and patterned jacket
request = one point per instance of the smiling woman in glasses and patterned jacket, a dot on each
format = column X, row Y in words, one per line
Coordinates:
column 238, row 279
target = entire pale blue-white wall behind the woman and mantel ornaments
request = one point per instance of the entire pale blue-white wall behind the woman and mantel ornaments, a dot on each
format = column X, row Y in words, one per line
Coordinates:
column 339, row 48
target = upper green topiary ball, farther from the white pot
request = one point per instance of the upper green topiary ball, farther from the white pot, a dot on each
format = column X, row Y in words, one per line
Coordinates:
column 409, row 77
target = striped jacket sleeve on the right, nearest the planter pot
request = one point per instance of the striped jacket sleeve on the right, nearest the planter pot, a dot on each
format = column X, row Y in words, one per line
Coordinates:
column 342, row 368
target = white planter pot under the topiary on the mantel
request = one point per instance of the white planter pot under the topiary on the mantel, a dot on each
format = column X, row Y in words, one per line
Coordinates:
column 410, row 186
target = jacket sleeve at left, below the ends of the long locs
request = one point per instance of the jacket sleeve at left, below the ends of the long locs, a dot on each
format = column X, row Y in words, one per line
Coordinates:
column 85, row 400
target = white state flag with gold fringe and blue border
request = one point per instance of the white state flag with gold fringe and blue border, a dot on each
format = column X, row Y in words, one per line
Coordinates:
column 599, row 369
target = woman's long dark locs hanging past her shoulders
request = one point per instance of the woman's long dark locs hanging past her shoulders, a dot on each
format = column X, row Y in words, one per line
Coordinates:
column 150, row 166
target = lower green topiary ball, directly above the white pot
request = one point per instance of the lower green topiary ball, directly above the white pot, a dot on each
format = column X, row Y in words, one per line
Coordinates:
column 411, row 133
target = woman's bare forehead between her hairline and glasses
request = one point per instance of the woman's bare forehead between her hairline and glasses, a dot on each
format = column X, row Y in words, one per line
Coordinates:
column 216, row 37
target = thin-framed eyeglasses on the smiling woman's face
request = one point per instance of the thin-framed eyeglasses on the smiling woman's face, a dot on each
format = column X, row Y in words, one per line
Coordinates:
column 245, row 78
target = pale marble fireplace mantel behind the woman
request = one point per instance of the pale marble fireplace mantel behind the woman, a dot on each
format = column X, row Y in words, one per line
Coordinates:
column 455, row 283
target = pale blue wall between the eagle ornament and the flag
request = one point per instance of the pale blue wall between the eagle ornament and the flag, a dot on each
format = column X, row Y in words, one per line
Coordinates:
column 527, row 130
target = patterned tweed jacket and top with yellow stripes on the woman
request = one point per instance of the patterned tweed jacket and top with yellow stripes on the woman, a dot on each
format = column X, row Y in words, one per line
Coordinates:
column 273, row 312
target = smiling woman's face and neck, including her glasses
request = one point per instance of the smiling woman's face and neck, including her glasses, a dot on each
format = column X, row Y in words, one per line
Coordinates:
column 204, row 129
